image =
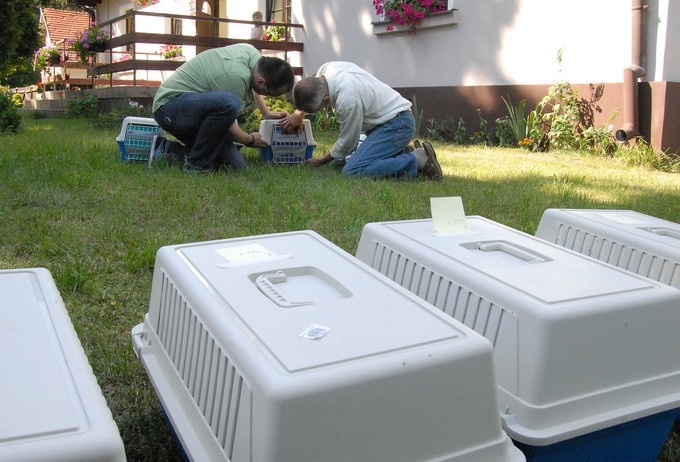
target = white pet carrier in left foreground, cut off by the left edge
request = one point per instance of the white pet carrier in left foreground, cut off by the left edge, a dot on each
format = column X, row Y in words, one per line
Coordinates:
column 52, row 407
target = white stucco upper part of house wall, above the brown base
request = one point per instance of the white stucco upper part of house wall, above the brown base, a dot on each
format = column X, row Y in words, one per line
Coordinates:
column 495, row 42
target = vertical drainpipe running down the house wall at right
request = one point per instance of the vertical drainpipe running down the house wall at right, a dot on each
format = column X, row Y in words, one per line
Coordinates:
column 633, row 73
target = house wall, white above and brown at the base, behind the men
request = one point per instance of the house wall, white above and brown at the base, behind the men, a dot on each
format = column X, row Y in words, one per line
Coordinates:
column 507, row 47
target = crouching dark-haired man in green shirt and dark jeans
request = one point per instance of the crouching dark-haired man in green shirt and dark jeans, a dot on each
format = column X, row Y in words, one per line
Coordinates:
column 199, row 103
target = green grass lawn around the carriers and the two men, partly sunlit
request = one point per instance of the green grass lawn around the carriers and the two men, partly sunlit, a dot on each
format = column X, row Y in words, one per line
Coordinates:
column 68, row 204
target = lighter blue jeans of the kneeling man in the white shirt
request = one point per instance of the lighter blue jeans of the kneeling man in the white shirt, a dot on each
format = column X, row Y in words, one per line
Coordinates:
column 381, row 154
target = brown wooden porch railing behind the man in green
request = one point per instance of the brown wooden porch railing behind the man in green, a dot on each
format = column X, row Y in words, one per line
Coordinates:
column 131, row 39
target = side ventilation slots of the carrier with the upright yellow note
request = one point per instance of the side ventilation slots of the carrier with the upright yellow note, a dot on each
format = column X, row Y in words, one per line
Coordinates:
column 469, row 308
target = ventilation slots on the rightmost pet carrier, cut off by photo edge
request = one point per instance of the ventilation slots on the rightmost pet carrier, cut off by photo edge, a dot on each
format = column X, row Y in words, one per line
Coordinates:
column 620, row 255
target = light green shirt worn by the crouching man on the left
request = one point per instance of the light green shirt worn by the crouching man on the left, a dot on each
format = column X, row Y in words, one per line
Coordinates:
column 219, row 69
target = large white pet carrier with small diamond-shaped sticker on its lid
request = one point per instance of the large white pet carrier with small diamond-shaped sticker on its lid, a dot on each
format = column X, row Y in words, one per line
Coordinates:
column 284, row 348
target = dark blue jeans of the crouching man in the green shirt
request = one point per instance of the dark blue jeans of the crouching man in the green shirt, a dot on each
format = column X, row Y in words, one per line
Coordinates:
column 201, row 121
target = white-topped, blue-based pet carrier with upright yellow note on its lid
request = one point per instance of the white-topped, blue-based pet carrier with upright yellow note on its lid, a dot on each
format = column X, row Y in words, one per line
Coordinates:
column 586, row 354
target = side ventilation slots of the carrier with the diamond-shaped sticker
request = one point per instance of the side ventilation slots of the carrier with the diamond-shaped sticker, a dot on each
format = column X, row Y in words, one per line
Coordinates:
column 213, row 382
